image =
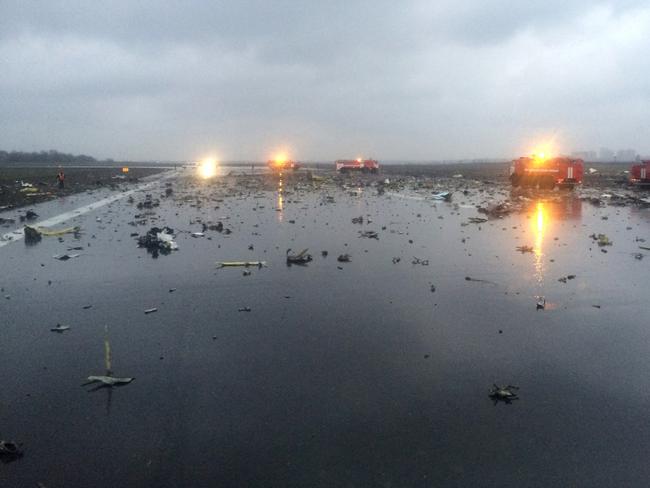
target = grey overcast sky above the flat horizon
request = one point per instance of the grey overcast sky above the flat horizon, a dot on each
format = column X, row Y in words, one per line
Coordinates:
column 396, row 80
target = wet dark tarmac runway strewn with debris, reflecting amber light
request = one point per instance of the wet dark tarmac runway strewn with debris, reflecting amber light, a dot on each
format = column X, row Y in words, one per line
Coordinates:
column 341, row 374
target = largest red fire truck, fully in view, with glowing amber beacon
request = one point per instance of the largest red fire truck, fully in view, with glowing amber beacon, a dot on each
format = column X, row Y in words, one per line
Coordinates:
column 546, row 173
